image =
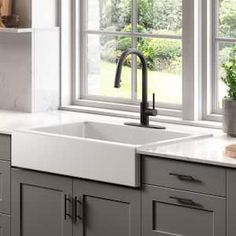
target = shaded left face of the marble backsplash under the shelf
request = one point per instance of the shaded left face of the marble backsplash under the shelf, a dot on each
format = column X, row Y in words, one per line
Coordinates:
column 15, row 71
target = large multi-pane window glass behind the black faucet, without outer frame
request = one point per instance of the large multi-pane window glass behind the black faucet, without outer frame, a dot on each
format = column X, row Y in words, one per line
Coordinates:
column 111, row 26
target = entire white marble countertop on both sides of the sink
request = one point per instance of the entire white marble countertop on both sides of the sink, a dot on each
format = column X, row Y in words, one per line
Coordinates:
column 204, row 150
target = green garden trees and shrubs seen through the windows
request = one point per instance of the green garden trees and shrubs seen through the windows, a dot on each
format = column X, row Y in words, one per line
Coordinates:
column 163, row 17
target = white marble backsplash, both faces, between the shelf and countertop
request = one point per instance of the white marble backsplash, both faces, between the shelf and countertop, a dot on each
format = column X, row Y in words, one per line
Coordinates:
column 29, row 71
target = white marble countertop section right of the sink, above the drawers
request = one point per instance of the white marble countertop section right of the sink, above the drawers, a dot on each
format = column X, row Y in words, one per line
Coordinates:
column 209, row 150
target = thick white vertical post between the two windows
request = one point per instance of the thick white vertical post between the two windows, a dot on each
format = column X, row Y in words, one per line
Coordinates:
column 191, row 41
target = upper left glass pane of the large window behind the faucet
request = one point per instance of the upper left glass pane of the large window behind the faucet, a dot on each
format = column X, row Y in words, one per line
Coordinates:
column 109, row 15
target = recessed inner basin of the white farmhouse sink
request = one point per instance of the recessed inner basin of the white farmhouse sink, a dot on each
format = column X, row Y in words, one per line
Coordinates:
column 113, row 133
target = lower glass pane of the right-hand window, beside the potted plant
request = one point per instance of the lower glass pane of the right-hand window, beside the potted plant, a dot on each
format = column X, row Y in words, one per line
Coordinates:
column 225, row 51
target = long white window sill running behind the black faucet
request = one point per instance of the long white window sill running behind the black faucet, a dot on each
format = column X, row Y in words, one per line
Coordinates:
column 135, row 115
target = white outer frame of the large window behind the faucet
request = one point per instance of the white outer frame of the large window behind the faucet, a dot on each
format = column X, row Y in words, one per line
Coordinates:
column 192, row 72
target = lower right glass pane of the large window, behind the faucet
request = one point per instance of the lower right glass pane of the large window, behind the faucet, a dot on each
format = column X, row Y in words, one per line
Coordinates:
column 164, row 58
